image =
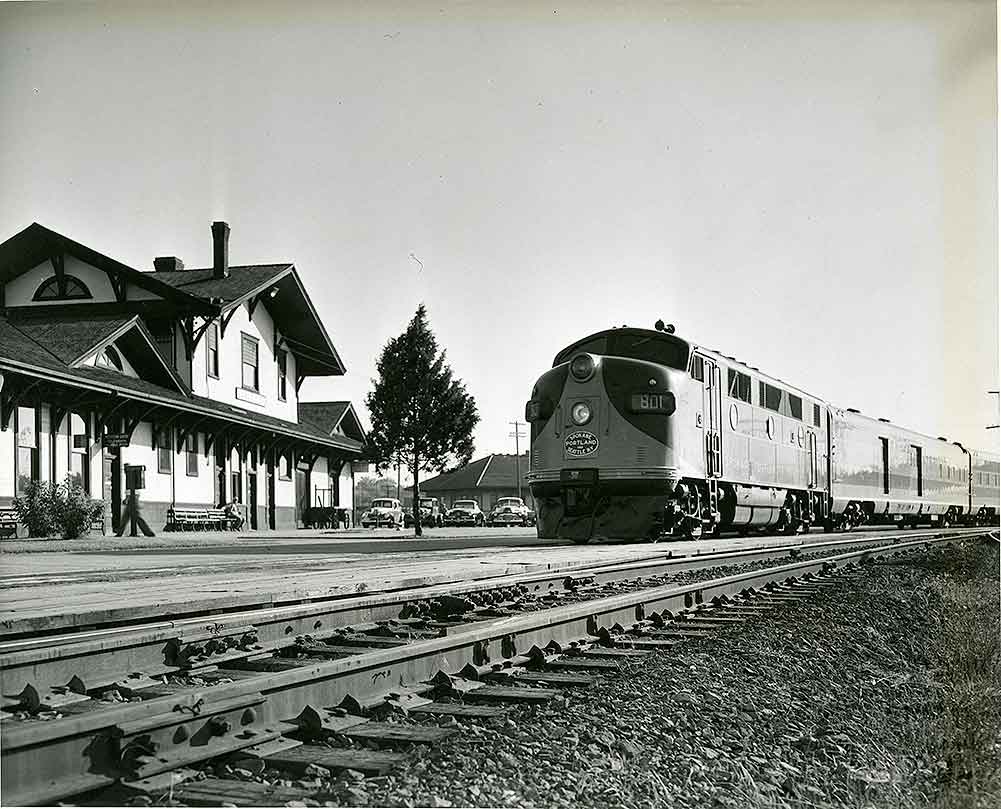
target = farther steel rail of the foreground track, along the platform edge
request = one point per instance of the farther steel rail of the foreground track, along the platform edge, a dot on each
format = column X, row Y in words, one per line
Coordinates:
column 103, row 658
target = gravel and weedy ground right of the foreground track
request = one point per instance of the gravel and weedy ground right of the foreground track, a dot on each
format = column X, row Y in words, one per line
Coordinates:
column 878, row 692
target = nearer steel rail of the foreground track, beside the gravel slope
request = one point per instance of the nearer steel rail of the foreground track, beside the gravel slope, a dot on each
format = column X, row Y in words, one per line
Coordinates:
column 46, row 761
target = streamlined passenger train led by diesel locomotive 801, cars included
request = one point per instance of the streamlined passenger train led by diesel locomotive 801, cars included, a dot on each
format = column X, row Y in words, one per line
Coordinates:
column 638, row 433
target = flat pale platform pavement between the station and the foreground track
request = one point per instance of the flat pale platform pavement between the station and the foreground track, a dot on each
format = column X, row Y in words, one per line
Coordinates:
column 53, row 590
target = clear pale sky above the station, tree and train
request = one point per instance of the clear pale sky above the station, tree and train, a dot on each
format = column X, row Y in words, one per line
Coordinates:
column 811, row 187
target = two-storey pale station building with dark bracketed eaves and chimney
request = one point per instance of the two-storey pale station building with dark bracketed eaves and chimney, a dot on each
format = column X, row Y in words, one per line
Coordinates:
column 194, row 375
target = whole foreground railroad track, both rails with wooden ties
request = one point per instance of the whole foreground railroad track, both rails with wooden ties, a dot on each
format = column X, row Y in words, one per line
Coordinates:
column 308, row 672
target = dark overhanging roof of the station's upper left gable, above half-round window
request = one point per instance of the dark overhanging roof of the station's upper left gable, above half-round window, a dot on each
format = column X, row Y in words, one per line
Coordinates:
column 36, row 244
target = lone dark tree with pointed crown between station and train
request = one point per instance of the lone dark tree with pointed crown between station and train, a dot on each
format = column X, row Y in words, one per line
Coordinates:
column 421, row 414
